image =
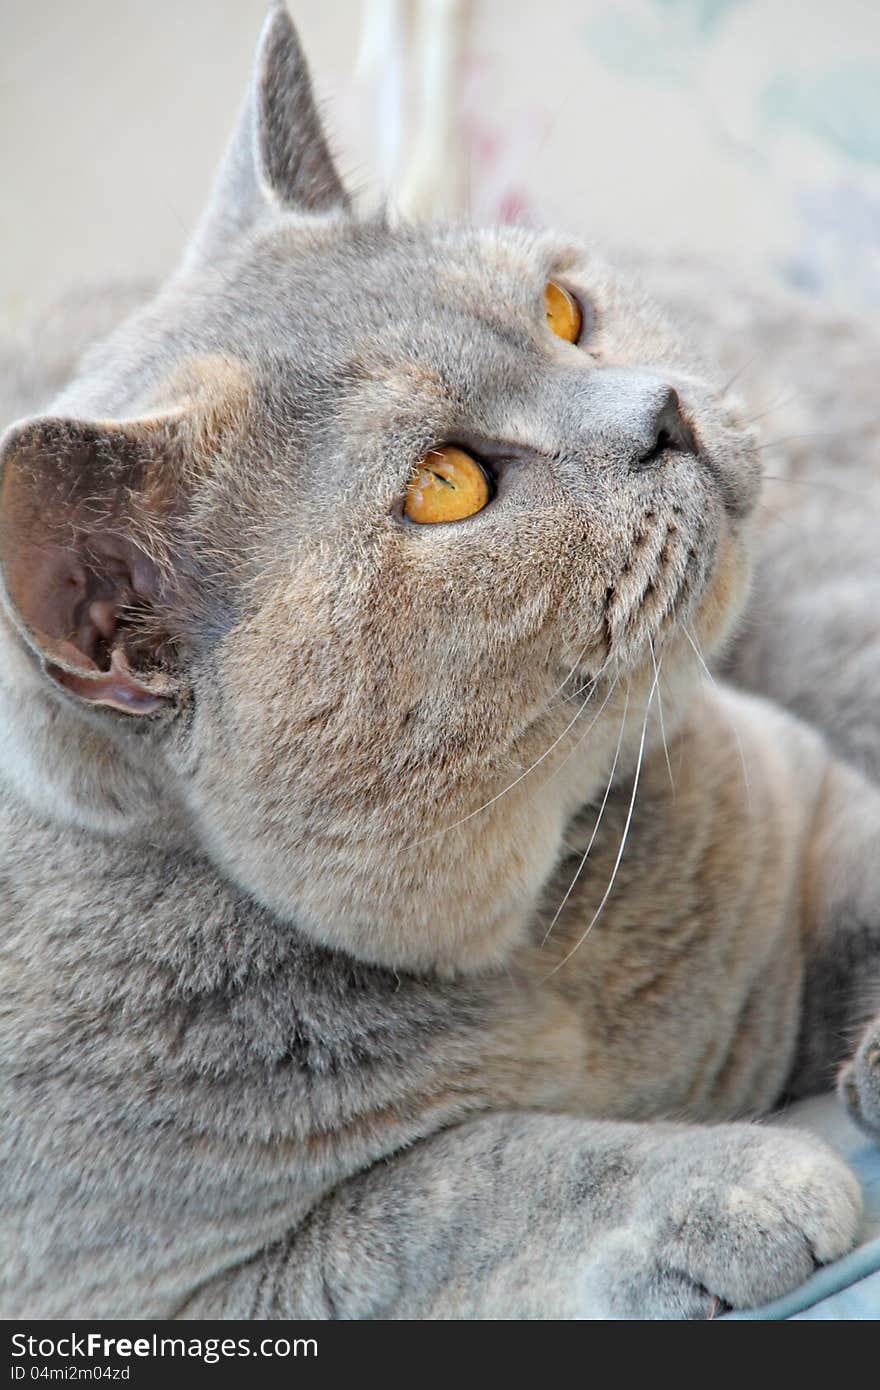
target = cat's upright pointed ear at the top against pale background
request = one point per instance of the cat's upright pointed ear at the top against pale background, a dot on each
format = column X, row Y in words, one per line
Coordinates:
column 279, row 156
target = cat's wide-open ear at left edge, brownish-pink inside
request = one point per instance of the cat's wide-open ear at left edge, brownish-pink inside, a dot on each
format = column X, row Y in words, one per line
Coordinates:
column 80, row 502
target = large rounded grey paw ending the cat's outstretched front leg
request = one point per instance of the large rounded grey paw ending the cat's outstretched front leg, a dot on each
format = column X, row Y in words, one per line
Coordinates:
column 740, row 1218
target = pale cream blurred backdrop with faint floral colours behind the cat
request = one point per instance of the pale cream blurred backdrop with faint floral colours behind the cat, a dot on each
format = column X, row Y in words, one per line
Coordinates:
column 743, row 130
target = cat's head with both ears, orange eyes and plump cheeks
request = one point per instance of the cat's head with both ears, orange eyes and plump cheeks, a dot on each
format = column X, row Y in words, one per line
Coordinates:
column 355, row 525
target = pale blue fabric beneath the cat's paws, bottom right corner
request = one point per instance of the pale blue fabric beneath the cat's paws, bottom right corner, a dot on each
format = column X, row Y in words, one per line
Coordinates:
column 849, row 1289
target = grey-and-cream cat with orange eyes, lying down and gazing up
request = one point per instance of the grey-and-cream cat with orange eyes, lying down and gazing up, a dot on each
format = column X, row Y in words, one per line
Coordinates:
column 398, row 921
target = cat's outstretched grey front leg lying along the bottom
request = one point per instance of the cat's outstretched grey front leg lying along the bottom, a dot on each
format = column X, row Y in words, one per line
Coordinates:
column 551, row 1217
